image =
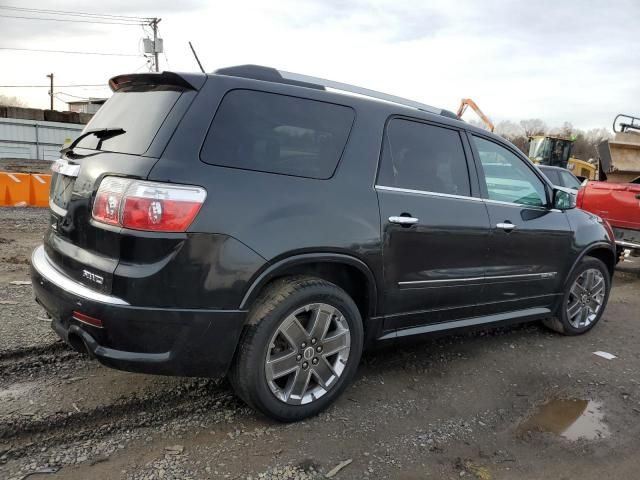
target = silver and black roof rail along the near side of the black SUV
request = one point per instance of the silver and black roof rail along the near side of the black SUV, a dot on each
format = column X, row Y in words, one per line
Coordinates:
column 280, row 76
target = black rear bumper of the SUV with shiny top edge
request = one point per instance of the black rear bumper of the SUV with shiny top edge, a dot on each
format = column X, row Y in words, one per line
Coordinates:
column 186, row 342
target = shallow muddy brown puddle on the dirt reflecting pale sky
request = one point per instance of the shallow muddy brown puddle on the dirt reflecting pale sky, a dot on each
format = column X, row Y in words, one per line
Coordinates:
column 572, row 419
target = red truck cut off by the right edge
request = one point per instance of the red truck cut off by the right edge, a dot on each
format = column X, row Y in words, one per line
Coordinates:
column 619, row 204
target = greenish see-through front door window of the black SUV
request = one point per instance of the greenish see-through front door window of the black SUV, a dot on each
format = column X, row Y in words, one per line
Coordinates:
column 507, row 177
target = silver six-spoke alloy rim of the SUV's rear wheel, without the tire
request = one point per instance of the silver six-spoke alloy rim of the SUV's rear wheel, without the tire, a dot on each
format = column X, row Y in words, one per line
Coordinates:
column 307, row 354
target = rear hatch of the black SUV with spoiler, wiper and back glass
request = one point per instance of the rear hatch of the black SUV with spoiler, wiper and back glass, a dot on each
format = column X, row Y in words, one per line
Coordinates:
column 124, row 138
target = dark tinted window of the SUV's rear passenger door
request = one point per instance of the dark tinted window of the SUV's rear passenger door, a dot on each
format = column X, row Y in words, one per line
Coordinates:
column 424, row 157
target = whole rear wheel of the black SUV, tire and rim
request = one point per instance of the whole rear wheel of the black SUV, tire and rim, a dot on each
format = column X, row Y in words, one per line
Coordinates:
column 300, row 350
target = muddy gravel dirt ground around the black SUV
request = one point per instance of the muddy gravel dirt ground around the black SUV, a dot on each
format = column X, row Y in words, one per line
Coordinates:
column 447, row 407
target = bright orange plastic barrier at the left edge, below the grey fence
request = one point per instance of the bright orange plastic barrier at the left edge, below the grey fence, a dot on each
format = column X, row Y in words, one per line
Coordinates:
column 24, row 189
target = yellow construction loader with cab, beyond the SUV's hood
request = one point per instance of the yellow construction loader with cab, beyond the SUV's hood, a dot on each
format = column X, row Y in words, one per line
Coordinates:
column 556, row 152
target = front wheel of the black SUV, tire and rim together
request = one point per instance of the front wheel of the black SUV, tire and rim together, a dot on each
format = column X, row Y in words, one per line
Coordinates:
column 584, row 300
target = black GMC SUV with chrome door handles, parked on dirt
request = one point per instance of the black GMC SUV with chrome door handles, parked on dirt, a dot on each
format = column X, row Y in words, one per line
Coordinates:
column 261, row 224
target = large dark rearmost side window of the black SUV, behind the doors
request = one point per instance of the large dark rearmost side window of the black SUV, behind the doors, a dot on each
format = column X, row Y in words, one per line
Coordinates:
column 275, row 133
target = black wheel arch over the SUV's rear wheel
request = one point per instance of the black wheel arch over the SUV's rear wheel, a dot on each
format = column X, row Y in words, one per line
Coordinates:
column 350, row 273
